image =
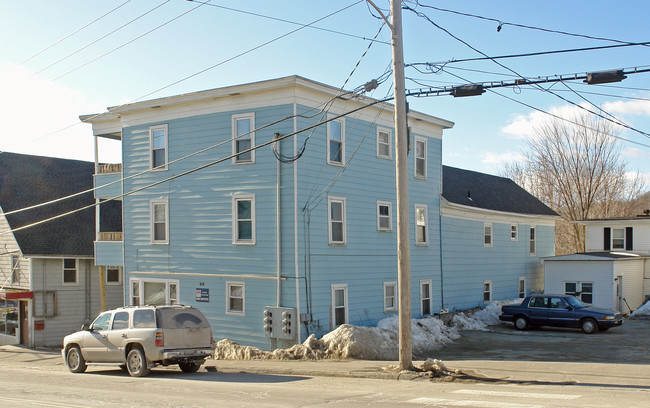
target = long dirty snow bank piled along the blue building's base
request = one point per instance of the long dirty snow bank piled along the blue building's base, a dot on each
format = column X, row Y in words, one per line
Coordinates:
column 370, row 343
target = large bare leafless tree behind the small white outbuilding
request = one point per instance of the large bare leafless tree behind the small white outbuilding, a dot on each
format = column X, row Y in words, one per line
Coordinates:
column 577, row 170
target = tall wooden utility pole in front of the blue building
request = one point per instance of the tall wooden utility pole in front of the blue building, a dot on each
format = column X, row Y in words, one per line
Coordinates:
column 401, row 182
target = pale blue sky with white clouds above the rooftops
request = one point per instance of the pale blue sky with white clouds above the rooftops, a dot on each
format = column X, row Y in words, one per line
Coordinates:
column 106, row 64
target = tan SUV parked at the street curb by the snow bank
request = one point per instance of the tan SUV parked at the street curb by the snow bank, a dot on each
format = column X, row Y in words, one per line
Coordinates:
column 138, row 338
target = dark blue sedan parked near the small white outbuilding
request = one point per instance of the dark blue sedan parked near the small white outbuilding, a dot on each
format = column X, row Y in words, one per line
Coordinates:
column 559, row 311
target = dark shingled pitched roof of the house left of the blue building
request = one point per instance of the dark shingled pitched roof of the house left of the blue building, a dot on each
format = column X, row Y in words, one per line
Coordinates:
column 28, row 180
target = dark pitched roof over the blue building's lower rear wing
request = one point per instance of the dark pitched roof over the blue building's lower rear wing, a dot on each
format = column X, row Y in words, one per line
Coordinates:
column 480, row 190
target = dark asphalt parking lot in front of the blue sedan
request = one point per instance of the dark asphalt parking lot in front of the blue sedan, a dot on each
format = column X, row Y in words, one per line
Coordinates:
column 626, row 344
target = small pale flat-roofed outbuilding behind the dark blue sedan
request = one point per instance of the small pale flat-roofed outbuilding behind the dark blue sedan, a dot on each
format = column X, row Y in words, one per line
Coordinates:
column 610, row 280
